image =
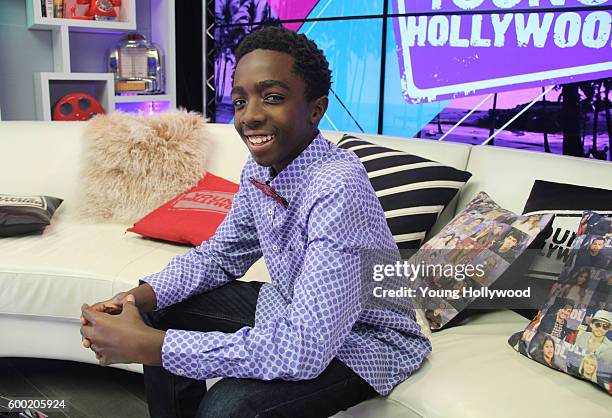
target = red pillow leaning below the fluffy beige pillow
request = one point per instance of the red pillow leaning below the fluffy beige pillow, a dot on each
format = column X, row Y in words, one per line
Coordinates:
column 193, row 216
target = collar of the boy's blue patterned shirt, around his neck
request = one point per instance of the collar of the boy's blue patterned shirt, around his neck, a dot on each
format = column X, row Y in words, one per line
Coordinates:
column 285, row 182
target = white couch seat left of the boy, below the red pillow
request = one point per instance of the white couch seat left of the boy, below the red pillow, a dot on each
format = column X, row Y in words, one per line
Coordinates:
column 80, row 263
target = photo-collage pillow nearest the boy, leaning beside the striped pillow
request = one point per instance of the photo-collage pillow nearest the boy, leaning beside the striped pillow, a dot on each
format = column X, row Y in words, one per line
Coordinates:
column 465, row 259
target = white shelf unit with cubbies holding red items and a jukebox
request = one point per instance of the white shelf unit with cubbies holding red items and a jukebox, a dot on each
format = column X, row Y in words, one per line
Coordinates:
column 79, row 53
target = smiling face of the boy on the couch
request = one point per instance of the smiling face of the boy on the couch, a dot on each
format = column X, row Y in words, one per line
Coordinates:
column 271, row 112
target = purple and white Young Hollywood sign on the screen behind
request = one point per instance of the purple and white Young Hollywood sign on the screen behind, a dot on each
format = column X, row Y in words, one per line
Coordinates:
column 454, row 48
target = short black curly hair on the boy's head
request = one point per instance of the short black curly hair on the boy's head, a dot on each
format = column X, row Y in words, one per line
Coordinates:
column 309, row 62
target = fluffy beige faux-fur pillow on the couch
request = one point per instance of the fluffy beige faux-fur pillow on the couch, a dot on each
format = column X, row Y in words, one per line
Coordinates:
column 133, row 163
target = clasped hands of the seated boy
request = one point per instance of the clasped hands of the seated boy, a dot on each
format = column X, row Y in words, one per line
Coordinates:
column 115, row 331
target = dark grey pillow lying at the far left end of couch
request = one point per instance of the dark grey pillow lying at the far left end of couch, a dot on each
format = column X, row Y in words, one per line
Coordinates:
column 21, row 215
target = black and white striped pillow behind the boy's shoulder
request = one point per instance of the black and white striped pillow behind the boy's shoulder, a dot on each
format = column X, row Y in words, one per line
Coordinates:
column 412, row 190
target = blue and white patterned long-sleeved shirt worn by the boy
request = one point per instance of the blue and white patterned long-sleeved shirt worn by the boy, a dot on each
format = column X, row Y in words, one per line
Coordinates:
column 313, row 309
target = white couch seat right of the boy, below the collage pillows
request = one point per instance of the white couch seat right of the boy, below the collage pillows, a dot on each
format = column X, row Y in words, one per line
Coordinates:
column 473, row 372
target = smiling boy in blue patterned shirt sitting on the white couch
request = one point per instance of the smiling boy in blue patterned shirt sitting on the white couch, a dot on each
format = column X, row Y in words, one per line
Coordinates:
column 308, row 343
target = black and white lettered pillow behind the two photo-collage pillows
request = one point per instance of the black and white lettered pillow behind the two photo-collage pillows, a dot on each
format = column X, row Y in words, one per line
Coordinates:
column 567, row 202
